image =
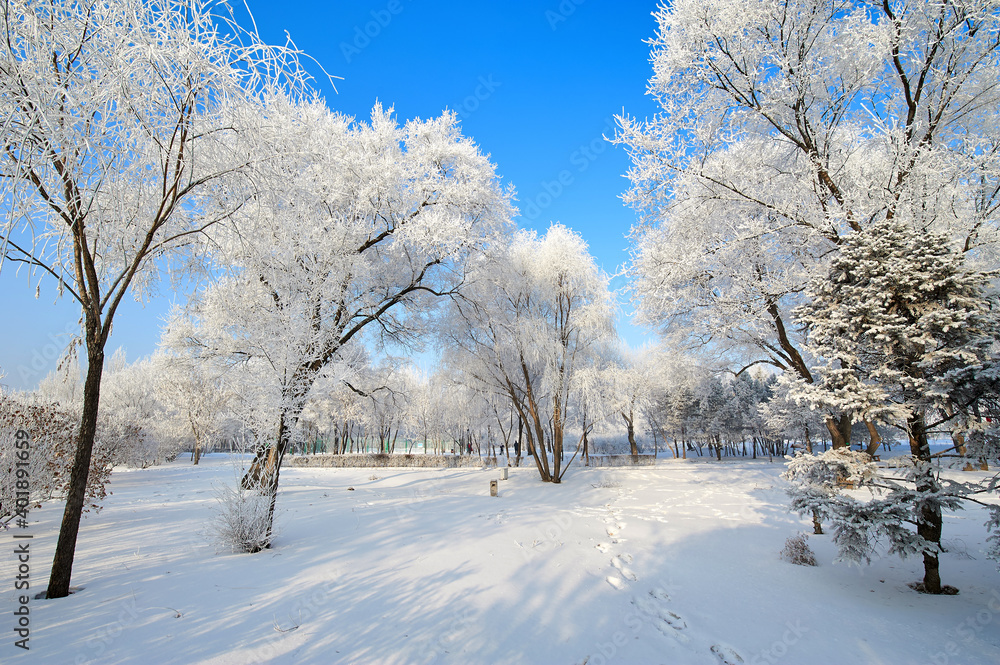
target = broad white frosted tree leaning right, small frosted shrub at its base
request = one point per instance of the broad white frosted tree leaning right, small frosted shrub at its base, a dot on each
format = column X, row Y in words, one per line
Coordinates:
column 357, row 233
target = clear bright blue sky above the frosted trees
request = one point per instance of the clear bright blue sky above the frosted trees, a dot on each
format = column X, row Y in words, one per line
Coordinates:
column 535, row 84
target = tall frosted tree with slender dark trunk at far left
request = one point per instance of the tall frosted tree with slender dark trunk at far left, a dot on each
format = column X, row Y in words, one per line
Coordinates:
column 117, row 117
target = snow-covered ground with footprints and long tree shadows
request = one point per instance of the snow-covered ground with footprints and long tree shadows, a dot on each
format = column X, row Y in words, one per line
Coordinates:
column 676, row 563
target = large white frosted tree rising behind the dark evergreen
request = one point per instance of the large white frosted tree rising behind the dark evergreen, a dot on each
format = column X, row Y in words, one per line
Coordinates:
column 786, row 124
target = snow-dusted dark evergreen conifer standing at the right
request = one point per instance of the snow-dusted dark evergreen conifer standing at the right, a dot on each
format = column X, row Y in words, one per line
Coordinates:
column 902, row 325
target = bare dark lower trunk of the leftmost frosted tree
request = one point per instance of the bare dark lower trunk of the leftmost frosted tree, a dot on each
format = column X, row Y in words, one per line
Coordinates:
column 62, row 562
